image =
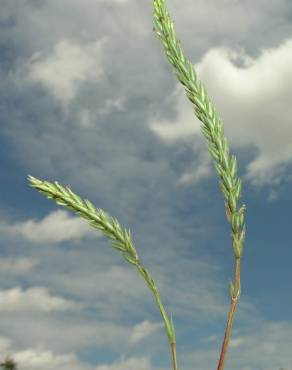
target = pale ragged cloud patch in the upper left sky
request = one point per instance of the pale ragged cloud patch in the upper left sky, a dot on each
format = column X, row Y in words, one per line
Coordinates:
column 69, row 65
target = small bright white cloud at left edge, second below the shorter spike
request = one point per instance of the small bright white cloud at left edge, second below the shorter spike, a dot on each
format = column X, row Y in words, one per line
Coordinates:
column 33, row 299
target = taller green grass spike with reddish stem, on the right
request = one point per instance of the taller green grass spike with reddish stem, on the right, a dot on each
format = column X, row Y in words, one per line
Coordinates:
column 212, row 129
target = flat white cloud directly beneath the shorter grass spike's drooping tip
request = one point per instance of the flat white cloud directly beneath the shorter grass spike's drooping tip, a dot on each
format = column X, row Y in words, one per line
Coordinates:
column 58, row 226
